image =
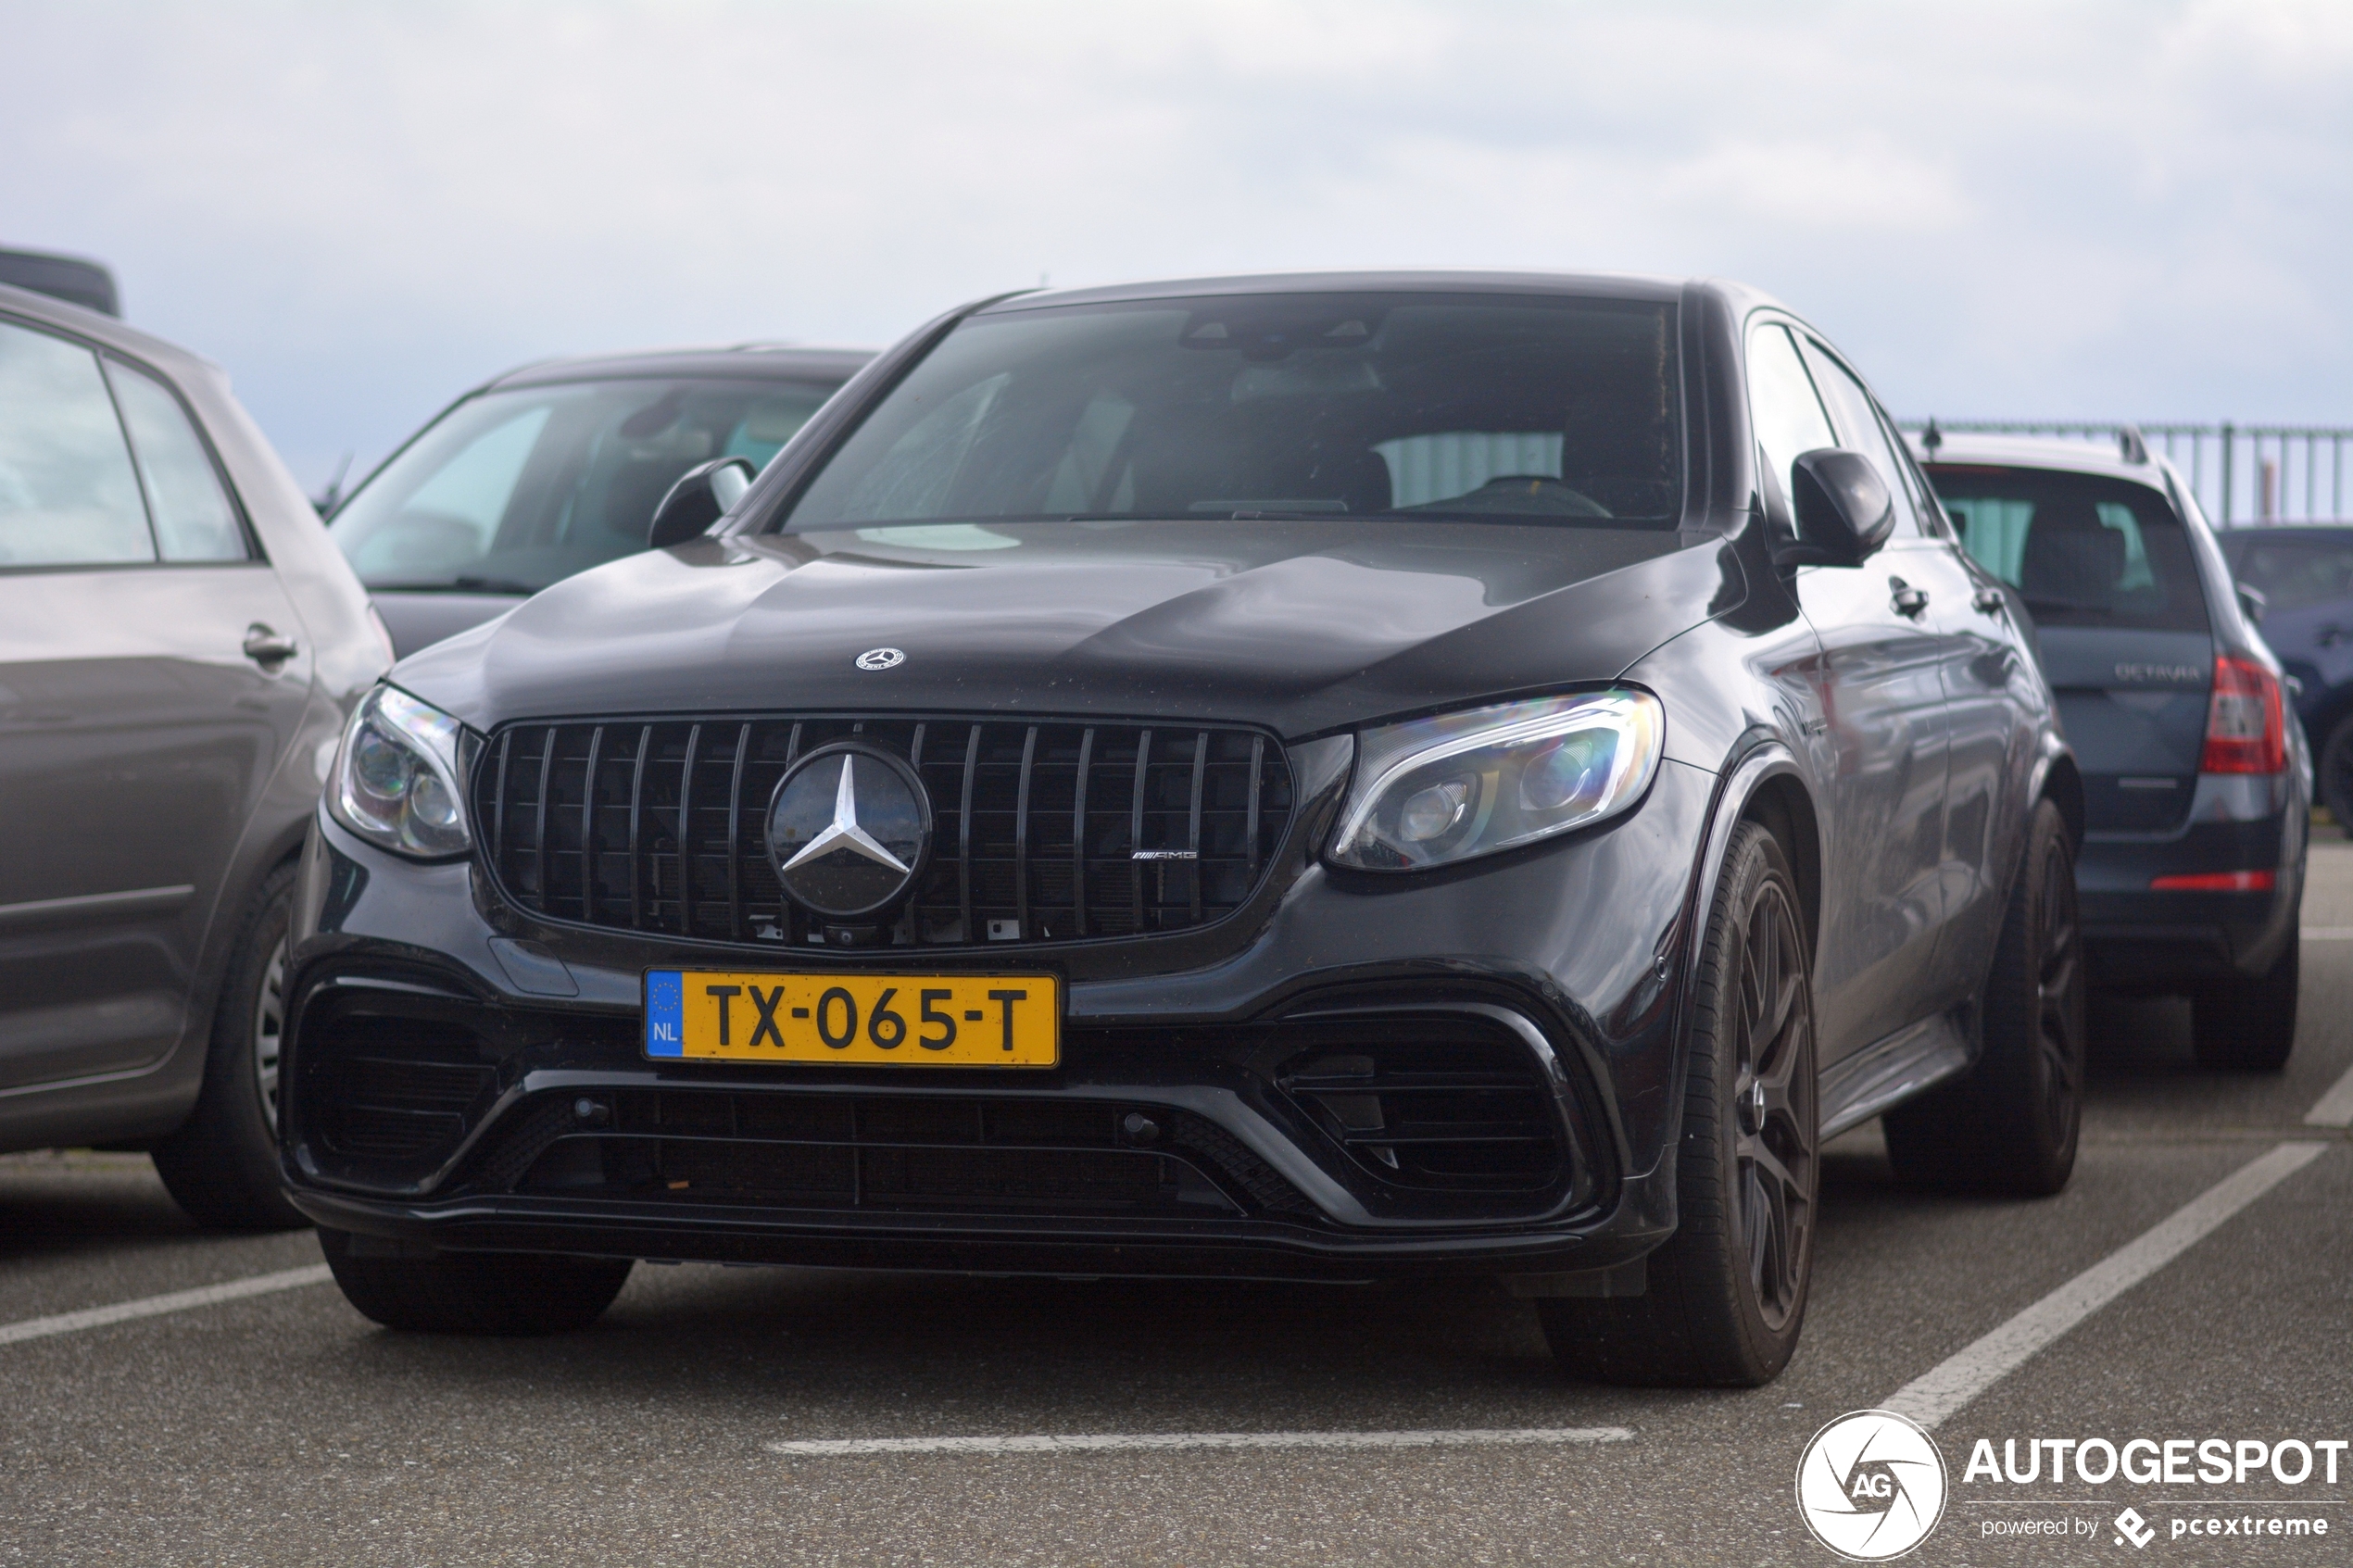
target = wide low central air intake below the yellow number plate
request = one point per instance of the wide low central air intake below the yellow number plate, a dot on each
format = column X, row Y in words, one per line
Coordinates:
column 884, row 1153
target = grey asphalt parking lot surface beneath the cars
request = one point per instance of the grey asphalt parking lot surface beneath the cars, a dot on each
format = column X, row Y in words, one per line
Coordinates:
column 284, row 1428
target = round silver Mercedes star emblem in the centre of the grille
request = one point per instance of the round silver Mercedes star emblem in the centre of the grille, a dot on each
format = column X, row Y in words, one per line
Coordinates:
column 848, row 829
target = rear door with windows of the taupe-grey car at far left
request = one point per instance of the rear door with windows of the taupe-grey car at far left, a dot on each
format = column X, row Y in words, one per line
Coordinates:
column 135, row 723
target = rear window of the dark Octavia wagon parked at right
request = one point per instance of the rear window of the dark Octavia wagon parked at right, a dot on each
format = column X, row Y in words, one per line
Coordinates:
column 2079, row 549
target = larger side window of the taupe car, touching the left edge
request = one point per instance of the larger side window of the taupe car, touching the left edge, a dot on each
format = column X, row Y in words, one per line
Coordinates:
column 67, row 488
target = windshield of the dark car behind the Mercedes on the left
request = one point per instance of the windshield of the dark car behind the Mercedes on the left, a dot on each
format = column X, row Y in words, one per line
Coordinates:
column 509, row 492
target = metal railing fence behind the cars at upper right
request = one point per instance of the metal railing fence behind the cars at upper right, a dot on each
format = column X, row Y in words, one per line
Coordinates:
column 2246, row 476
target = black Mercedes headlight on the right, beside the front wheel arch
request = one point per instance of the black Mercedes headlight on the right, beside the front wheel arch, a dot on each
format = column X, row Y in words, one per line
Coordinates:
column 1469, row 784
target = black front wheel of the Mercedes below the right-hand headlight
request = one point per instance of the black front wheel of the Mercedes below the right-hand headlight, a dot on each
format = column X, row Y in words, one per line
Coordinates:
column 1726, row 1294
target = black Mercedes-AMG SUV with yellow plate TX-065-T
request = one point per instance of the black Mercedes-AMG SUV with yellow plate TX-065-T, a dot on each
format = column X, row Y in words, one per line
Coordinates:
column 1281, row 777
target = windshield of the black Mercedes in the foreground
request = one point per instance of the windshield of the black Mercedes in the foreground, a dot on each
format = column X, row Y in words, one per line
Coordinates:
column 1481, row 408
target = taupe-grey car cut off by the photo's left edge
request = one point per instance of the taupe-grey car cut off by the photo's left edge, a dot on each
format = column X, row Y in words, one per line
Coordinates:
column 178, row 650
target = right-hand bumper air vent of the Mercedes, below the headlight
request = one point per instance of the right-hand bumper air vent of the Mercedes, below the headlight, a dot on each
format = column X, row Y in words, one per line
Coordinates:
column 1460, row 1115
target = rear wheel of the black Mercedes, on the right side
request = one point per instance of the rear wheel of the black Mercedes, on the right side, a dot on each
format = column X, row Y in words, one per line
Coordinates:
column 2013, row 1123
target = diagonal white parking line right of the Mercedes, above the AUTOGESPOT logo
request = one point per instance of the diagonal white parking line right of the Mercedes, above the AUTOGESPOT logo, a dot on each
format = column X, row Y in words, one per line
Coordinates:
column 1947, row 1388
